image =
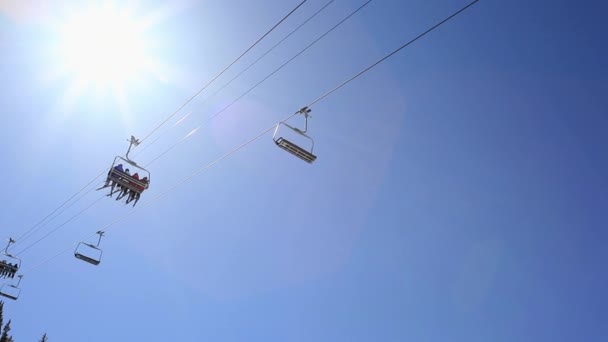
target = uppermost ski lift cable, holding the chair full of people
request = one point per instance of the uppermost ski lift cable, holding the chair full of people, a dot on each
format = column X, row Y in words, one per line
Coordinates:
column 172, row 115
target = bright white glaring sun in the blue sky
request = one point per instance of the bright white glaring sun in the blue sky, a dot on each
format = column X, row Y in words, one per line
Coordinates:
column 104, row 47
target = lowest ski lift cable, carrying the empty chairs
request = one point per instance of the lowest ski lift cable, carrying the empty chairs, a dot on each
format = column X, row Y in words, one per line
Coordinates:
column 208, row 166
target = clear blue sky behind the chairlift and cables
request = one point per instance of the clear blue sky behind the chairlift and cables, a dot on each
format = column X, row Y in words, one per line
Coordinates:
column 459, row 193
